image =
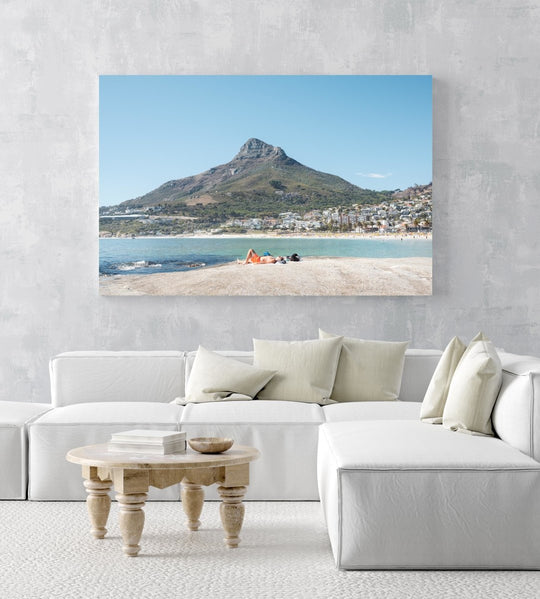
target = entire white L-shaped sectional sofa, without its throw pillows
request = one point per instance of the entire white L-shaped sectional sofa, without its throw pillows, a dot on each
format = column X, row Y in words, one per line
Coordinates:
column 396, row 492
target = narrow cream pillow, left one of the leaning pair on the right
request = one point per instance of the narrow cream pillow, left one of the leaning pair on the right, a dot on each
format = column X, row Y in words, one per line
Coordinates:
column 437, row 391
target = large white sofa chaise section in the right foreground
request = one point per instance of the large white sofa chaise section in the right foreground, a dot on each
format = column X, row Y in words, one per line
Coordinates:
column 404, row 494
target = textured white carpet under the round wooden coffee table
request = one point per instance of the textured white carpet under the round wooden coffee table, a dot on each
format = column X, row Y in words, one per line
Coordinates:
column 46, row 551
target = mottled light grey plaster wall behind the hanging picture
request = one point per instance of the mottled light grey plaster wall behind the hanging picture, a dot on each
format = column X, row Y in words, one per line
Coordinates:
column 484, row 57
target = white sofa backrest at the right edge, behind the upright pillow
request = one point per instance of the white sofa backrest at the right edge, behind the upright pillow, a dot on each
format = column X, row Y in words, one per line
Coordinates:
column 516, row 415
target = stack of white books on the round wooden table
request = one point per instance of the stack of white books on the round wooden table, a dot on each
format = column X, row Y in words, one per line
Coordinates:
column 149, row 442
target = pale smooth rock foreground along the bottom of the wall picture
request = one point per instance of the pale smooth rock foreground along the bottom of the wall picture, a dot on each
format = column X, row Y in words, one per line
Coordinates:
column 311, row 276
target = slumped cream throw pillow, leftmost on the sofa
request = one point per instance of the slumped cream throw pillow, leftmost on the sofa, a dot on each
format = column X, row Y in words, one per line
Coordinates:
column 217, row 378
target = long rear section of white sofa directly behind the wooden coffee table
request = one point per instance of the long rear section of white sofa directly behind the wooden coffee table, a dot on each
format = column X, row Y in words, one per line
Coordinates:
column 97, row 393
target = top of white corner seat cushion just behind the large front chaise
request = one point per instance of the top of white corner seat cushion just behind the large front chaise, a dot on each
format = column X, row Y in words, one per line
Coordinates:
column 372, row 410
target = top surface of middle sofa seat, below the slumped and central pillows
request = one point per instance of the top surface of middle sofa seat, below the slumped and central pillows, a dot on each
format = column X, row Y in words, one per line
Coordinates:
column 257, row 411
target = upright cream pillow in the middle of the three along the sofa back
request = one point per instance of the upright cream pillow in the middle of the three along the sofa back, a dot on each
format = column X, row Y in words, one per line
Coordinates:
column 305, row 369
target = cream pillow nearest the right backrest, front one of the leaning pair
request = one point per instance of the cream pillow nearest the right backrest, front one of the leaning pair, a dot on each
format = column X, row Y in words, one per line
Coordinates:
column 474, row 389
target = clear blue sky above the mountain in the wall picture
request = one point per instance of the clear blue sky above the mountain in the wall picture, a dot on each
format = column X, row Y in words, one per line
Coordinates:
column 374, row 131
